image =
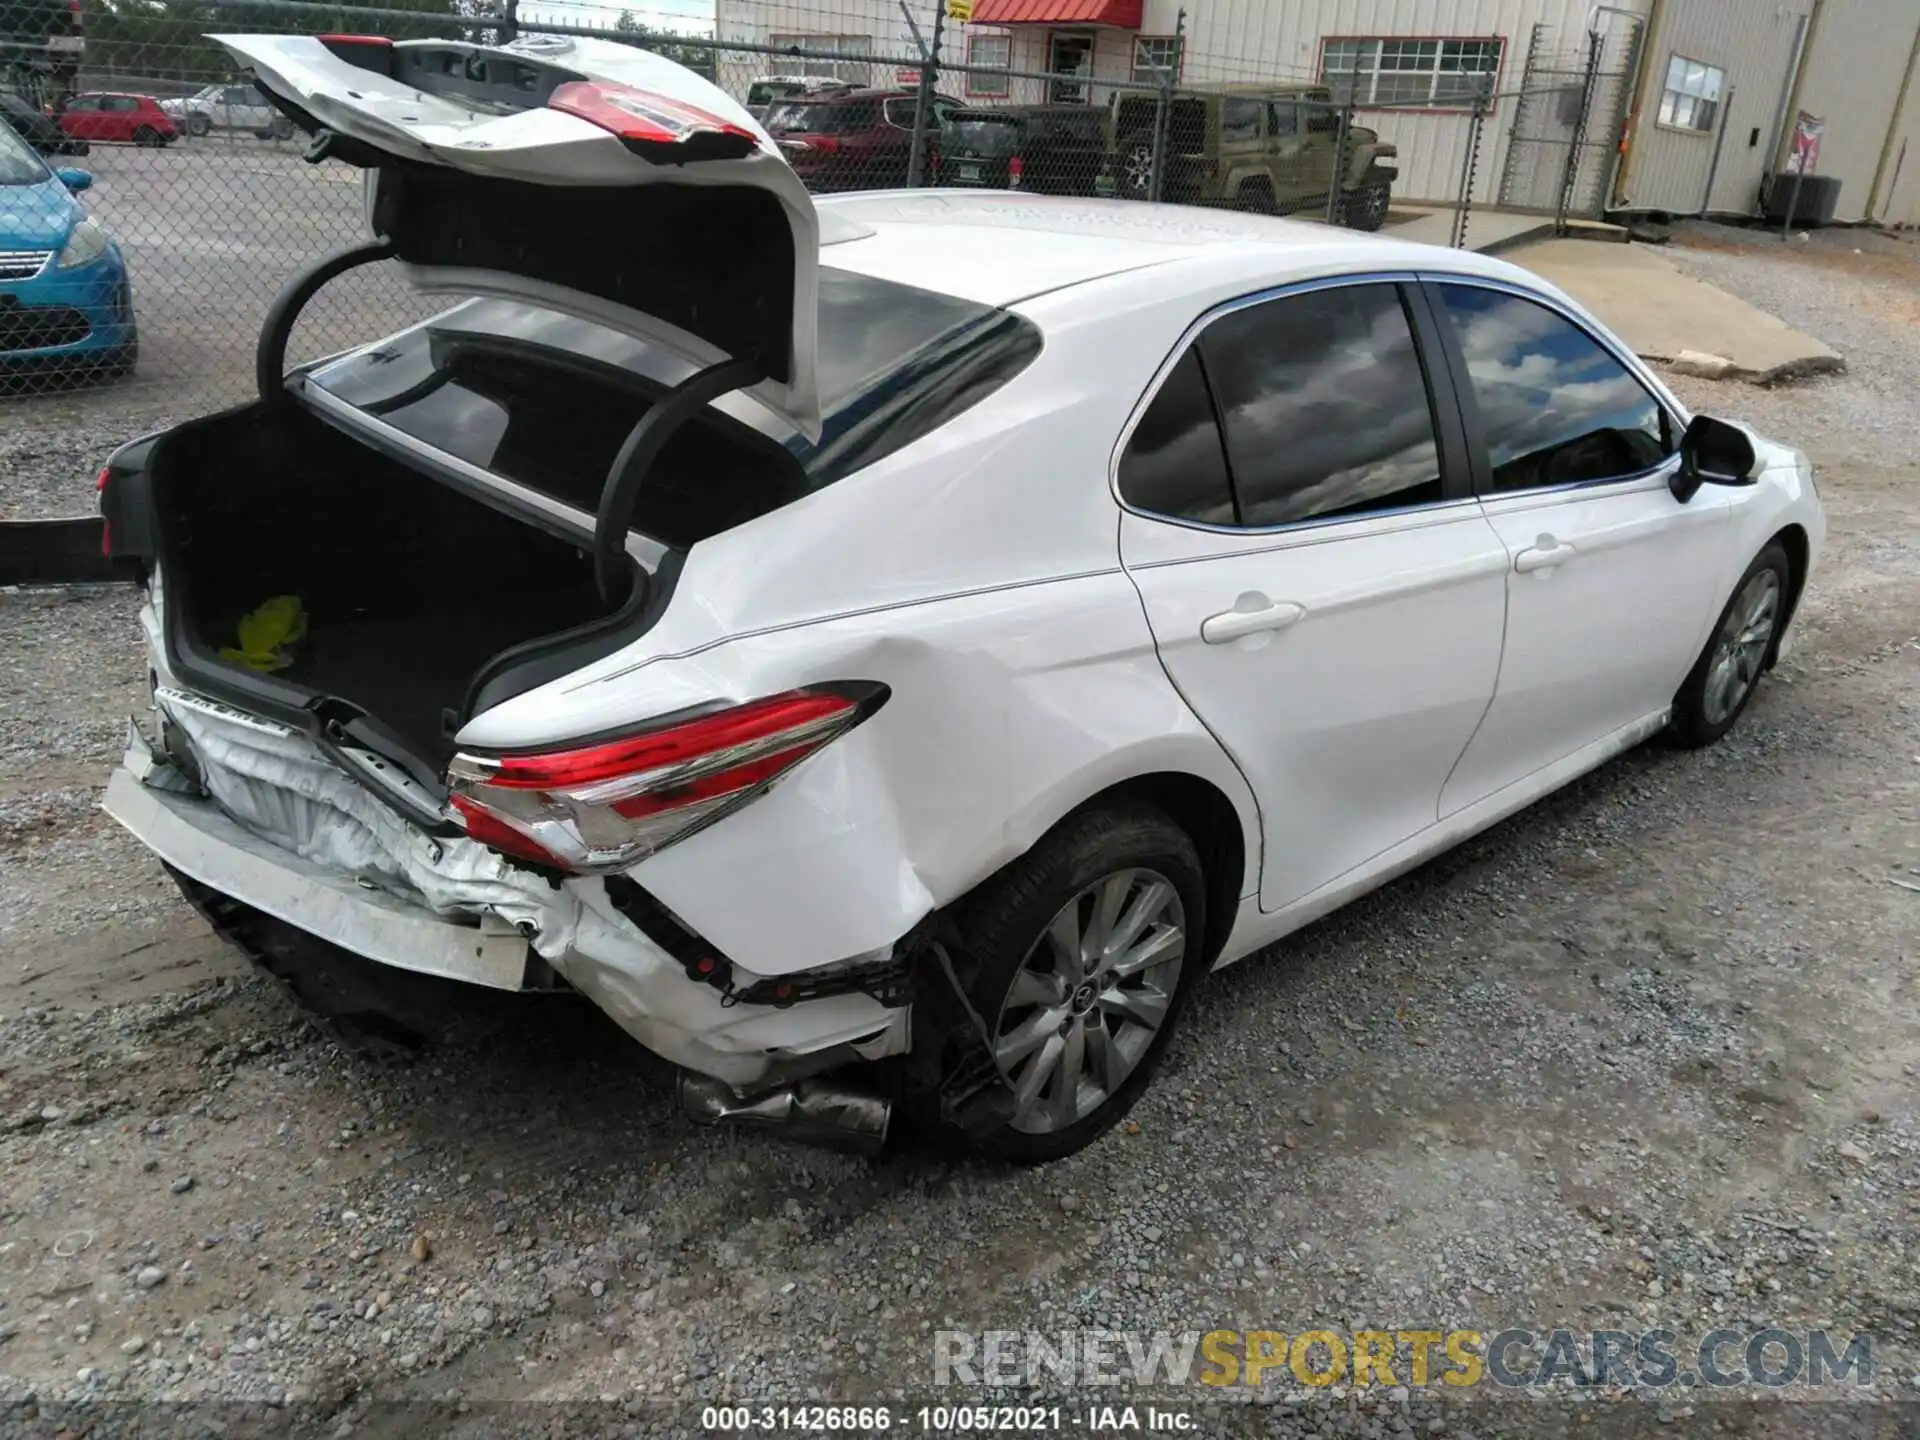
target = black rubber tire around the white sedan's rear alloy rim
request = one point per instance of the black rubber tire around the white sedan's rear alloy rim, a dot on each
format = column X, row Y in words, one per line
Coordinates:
column 1007, row 921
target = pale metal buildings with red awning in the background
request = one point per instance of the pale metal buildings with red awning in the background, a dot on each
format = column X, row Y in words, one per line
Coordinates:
column 1708, row 89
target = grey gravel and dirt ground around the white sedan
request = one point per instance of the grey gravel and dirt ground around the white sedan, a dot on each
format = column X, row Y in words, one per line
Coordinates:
column 1643, row 1055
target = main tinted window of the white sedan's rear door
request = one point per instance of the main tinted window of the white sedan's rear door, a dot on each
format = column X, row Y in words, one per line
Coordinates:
column 1326, row 406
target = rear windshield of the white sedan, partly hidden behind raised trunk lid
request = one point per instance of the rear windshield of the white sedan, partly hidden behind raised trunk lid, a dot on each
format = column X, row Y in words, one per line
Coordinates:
column 546, row 400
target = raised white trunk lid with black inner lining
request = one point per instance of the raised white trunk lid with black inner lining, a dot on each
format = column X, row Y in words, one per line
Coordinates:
column 581, row 176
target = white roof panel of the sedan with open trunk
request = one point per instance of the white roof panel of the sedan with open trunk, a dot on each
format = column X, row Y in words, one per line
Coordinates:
column 959, row 243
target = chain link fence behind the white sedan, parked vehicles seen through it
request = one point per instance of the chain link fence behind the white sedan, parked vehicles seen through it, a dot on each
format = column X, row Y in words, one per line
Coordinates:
column 201, row 203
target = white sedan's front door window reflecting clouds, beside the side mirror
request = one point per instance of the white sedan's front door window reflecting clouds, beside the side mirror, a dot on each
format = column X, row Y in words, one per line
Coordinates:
column 1558, row 410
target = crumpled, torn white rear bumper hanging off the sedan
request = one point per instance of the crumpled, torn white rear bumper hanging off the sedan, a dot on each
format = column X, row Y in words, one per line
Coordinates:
column 322, row 853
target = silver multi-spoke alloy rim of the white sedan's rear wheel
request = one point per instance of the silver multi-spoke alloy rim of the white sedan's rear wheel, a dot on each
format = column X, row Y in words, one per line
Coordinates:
column 1090, row 999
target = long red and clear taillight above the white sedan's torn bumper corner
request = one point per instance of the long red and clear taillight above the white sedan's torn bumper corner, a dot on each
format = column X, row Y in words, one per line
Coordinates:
column 606, row 807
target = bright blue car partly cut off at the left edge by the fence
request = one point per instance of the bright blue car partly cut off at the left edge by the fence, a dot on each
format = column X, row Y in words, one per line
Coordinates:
column 66, row 302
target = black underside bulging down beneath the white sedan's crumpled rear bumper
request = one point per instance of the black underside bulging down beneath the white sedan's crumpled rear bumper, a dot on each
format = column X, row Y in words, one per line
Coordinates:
column 373, row 1011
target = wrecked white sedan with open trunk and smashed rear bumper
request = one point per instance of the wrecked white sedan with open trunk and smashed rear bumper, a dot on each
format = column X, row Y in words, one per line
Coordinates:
column 888, row 652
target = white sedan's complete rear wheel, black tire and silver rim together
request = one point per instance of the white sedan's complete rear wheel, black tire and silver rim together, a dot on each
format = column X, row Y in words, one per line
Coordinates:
column 1082, row 959
